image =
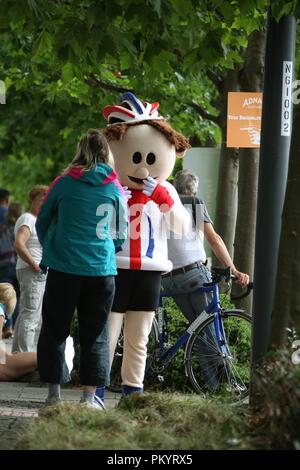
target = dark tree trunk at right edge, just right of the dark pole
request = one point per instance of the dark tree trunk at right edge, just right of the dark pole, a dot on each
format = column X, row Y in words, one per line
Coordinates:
column 286, row 310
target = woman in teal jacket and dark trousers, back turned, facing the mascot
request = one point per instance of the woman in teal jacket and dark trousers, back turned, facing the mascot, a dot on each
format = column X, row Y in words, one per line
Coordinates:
column 81, row 223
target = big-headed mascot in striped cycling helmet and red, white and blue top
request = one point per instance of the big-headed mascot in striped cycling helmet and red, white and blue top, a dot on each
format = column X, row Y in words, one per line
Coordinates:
column 144, row 146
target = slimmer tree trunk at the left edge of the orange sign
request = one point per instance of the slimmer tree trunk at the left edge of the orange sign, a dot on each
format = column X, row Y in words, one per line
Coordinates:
column 226, row 207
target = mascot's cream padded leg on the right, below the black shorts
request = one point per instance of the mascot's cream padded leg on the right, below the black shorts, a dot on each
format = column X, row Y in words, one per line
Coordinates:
column 136, row 332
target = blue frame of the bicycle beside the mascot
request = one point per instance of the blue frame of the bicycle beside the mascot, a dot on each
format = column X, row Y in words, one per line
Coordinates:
column 212, row 308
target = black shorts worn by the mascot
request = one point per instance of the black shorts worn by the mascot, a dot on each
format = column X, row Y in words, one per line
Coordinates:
column 136, row 290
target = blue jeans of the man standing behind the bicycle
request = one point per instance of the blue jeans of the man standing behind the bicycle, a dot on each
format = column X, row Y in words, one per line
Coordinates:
column 184, row 289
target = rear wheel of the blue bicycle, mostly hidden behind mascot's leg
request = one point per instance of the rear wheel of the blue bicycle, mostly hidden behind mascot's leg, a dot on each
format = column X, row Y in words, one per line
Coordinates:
column 115, row 373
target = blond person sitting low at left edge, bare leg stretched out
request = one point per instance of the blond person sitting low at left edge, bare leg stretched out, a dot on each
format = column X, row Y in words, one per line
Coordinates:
column 12, row 366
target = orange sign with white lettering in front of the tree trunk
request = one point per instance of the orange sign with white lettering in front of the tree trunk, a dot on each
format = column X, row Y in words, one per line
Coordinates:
column 244, row 119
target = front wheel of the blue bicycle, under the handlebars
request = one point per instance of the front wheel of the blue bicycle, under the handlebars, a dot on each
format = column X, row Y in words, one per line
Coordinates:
column 211, row 372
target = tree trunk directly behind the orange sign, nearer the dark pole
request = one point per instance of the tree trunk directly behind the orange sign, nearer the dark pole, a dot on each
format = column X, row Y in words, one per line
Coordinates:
column 251, row 80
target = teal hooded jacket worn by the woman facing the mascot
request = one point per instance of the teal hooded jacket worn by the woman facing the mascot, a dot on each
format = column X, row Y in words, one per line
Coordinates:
column 83, row 221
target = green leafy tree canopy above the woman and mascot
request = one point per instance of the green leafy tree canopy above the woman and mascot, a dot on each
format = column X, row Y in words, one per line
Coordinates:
column 63, row 61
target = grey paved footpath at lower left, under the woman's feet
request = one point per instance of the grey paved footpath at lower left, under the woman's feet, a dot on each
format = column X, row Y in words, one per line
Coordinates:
column 20, row 403
